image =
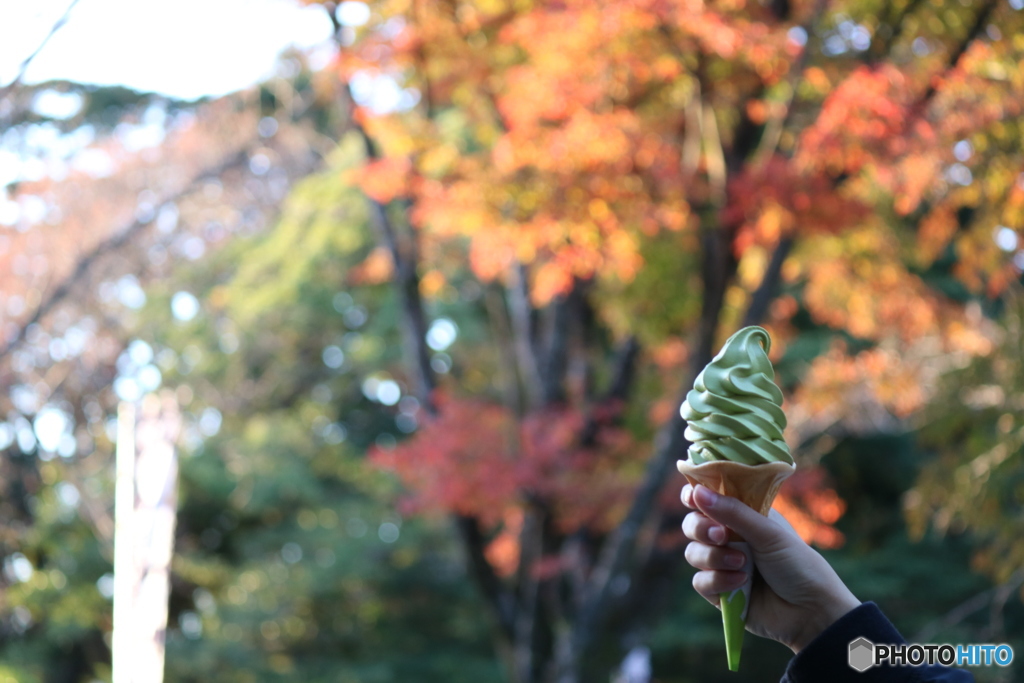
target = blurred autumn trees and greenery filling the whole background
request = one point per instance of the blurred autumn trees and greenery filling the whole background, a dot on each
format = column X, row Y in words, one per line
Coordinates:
column 582, row 205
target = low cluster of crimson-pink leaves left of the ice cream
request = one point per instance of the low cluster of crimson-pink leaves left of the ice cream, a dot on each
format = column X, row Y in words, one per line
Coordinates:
column 478, row 459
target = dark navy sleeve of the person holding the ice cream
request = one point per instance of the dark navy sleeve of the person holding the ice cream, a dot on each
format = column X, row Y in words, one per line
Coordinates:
column 827, row 659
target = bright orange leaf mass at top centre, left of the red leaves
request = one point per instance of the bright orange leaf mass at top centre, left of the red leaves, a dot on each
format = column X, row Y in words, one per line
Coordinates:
column 577, row 172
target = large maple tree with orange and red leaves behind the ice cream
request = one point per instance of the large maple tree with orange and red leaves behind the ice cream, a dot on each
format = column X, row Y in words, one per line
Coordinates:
column 634, row 181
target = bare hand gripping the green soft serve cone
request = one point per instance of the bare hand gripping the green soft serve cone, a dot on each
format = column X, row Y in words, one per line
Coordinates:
column 796, row 594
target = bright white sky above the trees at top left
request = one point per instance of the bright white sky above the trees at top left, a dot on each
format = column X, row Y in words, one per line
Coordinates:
column 183, row 49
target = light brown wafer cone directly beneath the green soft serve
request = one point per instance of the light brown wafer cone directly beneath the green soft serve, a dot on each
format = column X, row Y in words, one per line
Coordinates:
column 756, row 486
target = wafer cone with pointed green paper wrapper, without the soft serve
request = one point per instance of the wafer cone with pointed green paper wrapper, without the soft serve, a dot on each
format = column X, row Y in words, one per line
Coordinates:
column 756, row 486
